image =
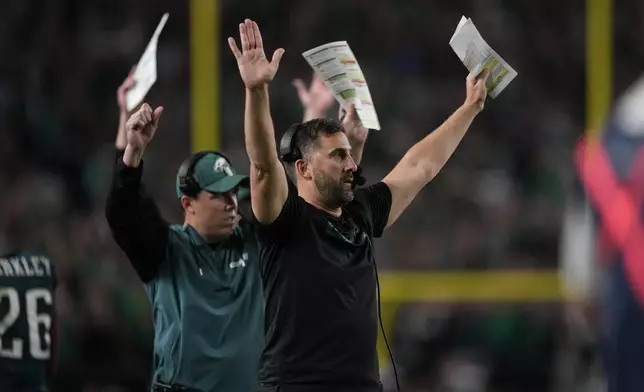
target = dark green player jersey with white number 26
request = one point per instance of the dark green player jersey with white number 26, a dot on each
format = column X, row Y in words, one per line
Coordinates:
column 27, row 284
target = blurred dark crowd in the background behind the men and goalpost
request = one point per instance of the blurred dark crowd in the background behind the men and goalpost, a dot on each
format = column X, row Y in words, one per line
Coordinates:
column 497, row 204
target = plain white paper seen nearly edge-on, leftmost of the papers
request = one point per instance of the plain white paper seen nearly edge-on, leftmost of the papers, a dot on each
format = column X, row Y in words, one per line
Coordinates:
column 146, row 70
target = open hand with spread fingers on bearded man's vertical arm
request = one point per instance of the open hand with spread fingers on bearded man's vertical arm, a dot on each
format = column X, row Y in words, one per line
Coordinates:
column 254, row 68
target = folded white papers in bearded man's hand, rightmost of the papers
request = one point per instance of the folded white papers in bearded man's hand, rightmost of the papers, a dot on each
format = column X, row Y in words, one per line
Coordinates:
column 476, row 54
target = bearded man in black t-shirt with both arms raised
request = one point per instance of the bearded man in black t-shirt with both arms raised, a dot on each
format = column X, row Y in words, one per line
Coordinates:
column 316, row 241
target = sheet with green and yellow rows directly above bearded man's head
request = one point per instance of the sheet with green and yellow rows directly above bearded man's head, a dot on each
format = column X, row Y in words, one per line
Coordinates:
column 336, row 65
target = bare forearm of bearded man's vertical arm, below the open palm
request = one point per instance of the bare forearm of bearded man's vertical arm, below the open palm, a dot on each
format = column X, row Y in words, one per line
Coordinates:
column 258, row 129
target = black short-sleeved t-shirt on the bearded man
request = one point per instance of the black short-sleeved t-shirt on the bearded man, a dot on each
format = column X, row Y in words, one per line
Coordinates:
column 320, row 286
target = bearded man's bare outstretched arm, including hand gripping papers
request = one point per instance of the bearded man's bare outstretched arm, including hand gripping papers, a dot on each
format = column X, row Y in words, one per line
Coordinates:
column 426, row 158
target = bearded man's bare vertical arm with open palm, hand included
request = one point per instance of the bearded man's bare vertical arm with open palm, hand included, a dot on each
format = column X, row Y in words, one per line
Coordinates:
column 269, row 188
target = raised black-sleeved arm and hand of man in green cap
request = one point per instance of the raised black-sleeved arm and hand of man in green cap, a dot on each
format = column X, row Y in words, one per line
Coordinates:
column 133, row 217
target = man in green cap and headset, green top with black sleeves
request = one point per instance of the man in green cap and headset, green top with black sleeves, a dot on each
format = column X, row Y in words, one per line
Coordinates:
column 201, row 277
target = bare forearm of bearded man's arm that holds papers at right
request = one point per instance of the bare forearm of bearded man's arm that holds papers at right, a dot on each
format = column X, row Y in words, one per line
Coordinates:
column 432, row 152
